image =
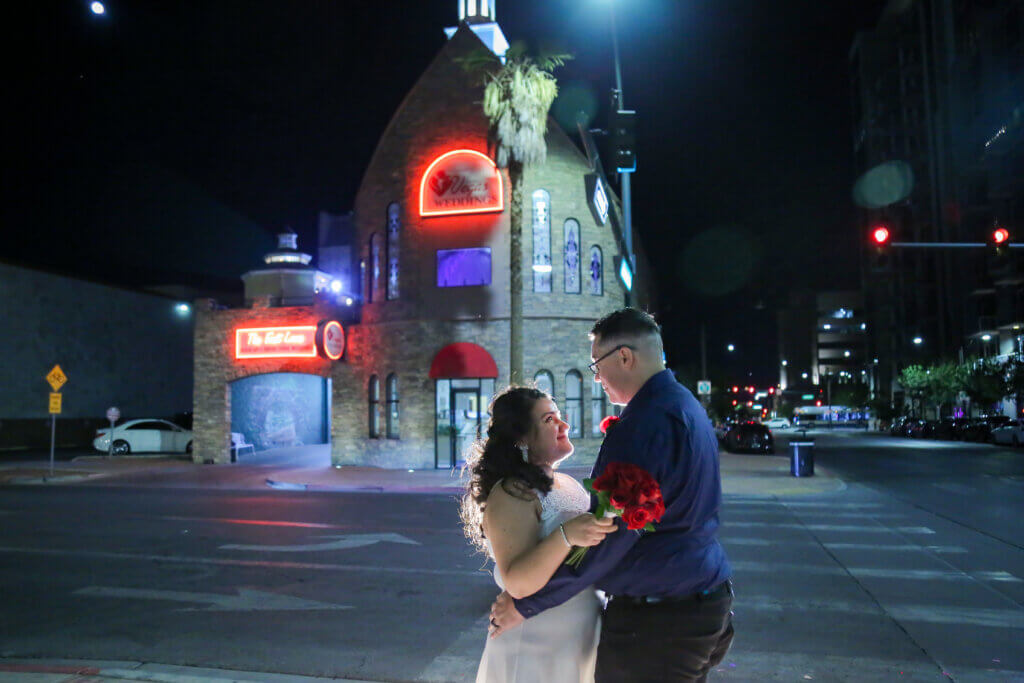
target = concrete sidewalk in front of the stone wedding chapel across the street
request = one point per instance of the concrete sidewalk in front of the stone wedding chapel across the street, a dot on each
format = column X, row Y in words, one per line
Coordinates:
column 742, row 476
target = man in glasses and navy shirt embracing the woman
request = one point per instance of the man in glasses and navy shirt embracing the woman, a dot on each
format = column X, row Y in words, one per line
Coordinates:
column 670, row 600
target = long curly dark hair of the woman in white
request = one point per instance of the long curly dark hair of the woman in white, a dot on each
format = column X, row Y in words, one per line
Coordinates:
column 499, row 459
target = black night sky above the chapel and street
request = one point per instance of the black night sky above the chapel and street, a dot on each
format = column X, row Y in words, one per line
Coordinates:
column 153, row 143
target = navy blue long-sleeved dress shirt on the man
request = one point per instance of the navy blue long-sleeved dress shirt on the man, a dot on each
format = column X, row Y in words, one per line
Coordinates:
column 665, row 431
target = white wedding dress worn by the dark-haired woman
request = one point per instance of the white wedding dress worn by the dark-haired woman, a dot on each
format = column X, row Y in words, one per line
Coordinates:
column 560, row 646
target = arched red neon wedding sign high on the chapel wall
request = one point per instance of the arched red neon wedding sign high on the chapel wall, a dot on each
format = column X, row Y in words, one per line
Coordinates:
column 461, row 182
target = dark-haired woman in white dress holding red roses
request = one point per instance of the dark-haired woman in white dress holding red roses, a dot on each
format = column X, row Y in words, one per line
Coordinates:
column 528, row 517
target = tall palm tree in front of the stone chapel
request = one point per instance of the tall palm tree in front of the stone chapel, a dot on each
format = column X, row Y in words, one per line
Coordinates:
column 518, row 97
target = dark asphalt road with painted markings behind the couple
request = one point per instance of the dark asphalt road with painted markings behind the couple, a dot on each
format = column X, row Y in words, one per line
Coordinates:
column 894, row 578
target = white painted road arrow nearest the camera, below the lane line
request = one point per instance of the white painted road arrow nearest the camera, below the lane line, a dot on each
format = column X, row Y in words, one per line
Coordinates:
column 246, row 601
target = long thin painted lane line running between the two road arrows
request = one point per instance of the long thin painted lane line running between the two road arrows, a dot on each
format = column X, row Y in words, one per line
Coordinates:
column 272, row 565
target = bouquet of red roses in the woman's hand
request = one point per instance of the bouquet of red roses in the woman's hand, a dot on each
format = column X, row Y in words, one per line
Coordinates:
column 628, row 492
